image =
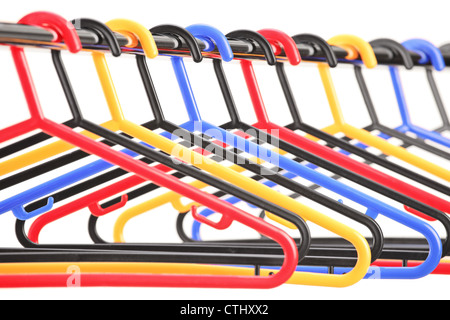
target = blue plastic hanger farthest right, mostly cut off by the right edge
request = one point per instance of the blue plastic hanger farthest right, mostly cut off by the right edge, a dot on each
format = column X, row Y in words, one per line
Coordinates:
column 429, row 53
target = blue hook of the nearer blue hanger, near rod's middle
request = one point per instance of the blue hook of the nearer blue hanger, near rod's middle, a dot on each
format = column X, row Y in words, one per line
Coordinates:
column 212, row 36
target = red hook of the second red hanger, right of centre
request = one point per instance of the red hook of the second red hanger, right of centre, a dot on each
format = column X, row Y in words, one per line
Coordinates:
column 280, row 39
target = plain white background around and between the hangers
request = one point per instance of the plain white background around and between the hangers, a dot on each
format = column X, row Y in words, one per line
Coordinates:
column 399, row 20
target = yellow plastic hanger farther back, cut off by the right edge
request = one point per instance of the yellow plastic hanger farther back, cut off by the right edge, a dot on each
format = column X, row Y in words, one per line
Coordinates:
column 358, row 47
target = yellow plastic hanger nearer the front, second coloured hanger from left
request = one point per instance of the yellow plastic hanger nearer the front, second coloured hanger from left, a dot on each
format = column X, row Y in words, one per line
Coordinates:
column 119, row 123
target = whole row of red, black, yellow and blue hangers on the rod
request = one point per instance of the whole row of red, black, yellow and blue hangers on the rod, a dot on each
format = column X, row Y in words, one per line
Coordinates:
column 197, row 149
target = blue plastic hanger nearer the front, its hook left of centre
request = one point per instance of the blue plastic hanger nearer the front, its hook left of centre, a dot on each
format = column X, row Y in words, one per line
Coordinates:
column 211, row 35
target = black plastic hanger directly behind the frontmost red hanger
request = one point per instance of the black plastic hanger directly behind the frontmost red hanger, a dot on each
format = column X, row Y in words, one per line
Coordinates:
column 207, row 251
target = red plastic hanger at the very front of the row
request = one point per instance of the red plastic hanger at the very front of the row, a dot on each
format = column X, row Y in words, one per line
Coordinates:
column 65, row 31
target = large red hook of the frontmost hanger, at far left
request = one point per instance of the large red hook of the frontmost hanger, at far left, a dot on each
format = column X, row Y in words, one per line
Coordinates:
column 62, row 29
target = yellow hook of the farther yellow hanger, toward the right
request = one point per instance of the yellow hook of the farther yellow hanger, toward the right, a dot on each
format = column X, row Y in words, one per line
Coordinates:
column 363, row 48
